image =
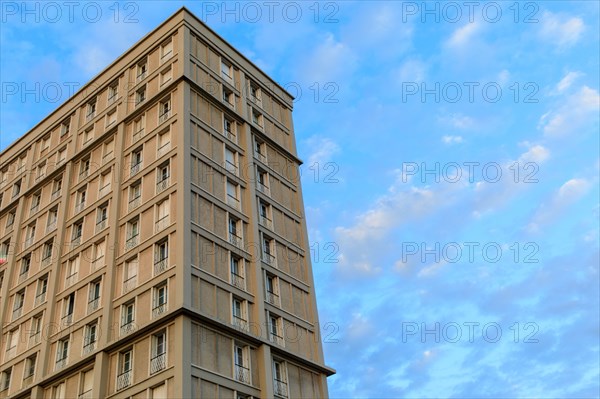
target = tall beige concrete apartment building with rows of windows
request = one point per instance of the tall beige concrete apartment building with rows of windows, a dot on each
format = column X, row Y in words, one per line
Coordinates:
column 154, row 238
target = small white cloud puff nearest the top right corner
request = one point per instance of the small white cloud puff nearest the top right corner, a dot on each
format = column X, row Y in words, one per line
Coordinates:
column 561, row 30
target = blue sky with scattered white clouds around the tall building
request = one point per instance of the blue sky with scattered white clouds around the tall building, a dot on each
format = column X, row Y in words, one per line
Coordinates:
column 450, row 176
